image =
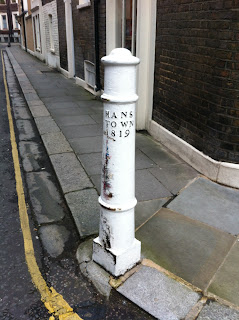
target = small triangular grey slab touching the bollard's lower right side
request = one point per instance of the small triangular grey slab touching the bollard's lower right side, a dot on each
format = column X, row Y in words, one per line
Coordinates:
column 146, row 209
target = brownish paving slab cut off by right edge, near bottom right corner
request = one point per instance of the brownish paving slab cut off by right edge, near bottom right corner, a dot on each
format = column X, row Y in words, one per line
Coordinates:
column 226, row 282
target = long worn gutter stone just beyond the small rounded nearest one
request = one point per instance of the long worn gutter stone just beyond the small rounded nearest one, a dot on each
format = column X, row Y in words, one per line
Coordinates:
column 45, row 198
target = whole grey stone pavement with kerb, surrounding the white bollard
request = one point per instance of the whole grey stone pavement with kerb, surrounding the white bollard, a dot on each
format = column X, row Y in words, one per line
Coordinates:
column 188, row 225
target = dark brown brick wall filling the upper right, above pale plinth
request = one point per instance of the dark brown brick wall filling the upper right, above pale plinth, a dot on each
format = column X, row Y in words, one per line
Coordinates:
column 196, row 90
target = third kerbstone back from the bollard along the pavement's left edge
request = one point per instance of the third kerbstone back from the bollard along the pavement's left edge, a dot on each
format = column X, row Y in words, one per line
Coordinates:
column 55, row 142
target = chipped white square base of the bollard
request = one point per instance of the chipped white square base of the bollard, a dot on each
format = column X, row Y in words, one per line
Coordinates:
column 116, row 263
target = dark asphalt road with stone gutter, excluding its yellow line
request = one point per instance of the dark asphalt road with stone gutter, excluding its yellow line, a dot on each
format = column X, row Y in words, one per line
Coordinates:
column 19, row 299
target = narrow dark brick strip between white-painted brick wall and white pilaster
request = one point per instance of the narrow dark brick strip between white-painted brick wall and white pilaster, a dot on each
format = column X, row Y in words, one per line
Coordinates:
column 62, row 34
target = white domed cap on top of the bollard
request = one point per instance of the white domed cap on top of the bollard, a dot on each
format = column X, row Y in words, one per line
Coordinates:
column 120, row 56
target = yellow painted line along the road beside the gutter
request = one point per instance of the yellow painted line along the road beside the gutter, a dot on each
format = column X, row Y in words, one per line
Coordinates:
column 53, row 301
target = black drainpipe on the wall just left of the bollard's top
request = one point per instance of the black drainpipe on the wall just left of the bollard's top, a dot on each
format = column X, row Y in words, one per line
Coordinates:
column 97, row 52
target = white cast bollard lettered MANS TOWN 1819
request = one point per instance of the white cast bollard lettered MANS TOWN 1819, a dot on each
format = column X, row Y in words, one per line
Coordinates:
column 116, row 248
